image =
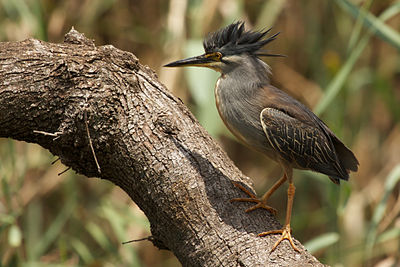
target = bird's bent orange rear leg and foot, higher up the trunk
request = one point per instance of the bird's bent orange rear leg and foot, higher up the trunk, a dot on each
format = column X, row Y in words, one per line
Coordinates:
column 262, row 202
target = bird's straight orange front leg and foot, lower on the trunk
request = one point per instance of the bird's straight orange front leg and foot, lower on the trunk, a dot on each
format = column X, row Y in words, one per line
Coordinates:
column 285, row 231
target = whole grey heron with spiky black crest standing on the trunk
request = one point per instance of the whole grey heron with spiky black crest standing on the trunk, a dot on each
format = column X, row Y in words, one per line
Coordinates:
column 266, row 118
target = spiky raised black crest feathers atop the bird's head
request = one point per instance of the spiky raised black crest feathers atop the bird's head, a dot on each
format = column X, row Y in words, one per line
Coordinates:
column 233, row 40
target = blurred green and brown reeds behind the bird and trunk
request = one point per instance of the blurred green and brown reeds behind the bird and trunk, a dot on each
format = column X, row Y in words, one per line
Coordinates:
column 343, row 61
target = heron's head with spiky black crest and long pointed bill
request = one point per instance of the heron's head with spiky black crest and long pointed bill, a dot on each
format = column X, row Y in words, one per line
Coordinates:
column 229, row 47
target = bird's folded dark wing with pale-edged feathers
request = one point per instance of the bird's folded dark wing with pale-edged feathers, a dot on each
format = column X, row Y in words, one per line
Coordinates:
column 301, row 144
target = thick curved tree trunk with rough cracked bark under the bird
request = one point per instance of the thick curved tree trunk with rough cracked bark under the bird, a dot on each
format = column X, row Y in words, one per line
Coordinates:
column 146, row 141
